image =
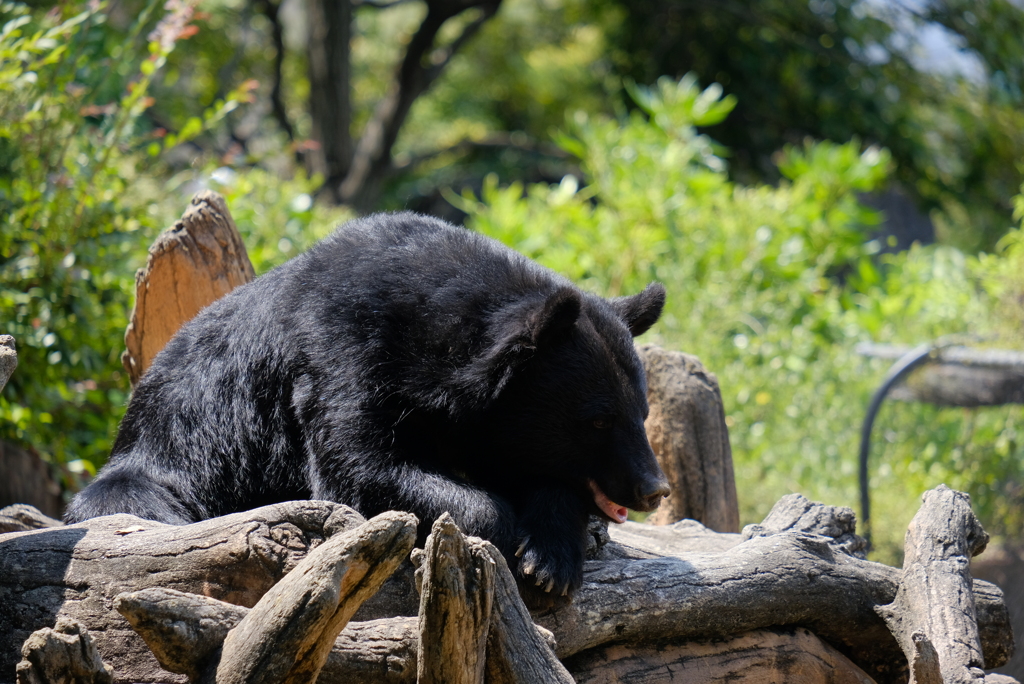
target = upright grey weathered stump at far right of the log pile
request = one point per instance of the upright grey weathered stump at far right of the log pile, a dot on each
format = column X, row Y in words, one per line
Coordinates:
column 933, row 616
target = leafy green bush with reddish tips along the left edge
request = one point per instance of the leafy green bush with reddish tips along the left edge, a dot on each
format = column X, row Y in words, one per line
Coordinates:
column 78, row 205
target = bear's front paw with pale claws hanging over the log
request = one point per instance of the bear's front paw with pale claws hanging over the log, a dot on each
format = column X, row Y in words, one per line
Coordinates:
column 547, row 577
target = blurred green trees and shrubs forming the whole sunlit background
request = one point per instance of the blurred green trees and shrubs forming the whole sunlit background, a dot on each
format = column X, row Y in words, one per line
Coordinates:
column 803, row 177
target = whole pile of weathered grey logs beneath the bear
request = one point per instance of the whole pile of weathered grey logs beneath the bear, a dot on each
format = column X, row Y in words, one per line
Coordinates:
column 306, row 590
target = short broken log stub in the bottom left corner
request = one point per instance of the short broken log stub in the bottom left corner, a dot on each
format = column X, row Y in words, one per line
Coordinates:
column 65, row 655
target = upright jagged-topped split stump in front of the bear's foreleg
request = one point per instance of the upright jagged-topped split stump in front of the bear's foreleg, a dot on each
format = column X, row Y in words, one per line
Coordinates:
column 457, row 586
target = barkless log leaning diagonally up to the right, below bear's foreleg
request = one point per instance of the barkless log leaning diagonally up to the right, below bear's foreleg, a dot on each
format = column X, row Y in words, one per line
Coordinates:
column 287, row 637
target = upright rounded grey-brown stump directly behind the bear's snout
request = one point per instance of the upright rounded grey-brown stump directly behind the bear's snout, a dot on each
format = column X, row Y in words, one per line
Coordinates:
column 687, row 430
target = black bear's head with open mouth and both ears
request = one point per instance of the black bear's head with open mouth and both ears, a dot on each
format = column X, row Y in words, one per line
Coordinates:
column 570, row 398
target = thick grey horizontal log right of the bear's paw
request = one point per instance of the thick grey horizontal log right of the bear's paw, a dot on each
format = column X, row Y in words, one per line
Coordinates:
column 785, row 579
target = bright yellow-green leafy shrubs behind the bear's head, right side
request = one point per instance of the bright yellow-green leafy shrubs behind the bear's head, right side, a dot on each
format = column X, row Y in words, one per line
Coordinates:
column 773, row 288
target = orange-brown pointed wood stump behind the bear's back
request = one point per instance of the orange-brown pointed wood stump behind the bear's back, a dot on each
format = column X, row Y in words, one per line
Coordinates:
column 192, row 265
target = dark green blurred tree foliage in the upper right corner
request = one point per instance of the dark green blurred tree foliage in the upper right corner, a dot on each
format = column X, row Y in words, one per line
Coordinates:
column 838, row 69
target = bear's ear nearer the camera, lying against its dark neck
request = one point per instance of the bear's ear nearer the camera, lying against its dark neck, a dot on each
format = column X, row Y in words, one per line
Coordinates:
column 518, row 333
